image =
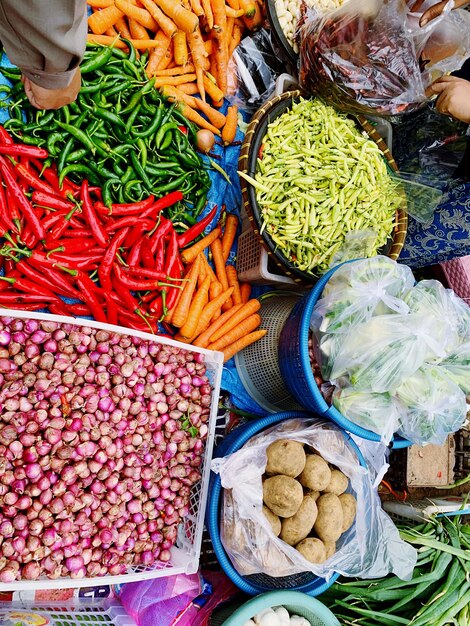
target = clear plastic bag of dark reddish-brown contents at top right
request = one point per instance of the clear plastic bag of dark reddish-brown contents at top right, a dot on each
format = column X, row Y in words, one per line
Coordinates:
column 364, row 57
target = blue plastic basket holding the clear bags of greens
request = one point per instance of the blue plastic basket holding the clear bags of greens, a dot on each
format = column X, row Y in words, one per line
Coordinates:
column 296, row 371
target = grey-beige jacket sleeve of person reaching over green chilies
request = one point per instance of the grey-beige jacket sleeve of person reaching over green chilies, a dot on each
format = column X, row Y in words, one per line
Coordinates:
column 45, row 38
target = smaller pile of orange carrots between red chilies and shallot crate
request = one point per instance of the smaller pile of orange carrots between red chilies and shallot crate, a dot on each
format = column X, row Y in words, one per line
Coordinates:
column 214, row 310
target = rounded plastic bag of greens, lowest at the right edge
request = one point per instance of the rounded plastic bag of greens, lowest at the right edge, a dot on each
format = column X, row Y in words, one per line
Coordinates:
column 434, row 406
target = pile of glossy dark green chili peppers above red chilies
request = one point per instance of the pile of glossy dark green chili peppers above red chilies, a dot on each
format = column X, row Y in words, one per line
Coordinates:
column 120, row 134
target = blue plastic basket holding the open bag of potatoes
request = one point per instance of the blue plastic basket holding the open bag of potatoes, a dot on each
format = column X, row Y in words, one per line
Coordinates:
column 255, row 584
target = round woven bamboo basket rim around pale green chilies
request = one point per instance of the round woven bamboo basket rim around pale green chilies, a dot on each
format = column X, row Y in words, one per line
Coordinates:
column 247, row 162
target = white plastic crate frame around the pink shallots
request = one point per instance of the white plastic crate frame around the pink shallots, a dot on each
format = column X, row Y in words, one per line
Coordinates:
column 185, row 554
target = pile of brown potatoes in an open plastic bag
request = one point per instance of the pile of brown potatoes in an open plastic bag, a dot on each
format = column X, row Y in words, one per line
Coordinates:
column 305, row 500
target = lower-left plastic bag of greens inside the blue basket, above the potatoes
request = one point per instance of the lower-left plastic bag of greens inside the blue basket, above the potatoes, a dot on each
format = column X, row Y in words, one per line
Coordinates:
column 379, row 412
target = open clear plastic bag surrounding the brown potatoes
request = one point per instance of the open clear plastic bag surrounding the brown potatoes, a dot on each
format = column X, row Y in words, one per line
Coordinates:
column 370, row 548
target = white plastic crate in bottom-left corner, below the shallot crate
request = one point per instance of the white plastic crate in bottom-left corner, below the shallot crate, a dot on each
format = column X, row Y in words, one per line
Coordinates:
column 76, row 612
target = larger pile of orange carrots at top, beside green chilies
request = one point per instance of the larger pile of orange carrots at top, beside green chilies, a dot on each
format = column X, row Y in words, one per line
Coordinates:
column 189, row 41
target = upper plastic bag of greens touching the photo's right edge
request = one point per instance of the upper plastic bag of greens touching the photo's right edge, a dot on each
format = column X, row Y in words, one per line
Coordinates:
column 449, row 314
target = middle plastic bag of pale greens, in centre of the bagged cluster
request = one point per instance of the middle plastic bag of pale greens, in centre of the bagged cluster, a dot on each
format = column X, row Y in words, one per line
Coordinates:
column 380, row 354
